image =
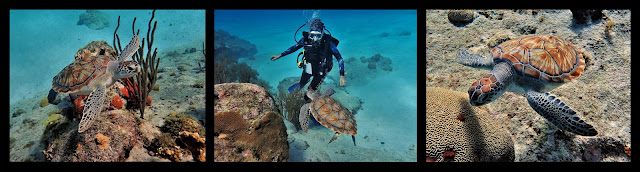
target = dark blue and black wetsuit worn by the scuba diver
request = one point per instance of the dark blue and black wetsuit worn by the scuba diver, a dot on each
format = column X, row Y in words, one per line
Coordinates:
column 319, row 57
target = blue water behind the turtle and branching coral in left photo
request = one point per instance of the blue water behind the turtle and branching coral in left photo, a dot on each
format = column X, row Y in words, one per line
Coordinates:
column 43, row 42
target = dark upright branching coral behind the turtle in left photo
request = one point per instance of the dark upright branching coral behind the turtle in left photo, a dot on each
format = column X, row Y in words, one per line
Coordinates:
column 146, row 79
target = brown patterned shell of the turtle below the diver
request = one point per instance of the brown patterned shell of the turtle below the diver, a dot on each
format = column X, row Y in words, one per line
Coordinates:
column 331, row 114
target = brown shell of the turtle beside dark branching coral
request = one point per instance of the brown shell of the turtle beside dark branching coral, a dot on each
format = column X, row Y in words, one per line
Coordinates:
column 80, row 73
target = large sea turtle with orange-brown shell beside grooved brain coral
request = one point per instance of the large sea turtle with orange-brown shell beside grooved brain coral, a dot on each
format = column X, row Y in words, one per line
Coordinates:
column 531, row 65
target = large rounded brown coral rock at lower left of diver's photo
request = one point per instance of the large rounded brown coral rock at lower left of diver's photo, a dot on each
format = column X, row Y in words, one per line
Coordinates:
column 246, row 116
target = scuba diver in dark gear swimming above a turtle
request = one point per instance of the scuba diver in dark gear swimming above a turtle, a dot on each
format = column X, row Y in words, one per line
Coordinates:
column 316, row 60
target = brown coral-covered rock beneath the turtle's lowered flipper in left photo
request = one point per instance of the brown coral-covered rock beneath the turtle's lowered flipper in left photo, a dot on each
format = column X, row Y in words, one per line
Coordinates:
column 62, row 142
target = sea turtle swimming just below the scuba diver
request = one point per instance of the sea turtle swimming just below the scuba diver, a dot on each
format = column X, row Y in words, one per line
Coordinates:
column 329, row 113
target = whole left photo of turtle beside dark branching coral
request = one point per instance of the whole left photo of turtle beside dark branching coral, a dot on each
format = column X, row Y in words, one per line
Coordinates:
column 107, row 86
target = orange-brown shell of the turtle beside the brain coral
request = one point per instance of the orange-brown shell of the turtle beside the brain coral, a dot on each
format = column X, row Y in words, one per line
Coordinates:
column 545, row 57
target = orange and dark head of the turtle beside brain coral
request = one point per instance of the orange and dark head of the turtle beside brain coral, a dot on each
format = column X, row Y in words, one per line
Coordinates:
column 485, row 90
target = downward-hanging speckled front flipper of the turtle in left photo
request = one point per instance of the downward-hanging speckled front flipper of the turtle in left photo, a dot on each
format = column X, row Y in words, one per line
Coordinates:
column 94, row 104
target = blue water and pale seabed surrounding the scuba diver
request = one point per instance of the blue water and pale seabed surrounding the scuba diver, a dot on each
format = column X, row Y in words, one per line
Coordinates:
column 390, row 110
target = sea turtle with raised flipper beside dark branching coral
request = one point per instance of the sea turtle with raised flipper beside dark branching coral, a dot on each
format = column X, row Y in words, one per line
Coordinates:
column 92, row 75
